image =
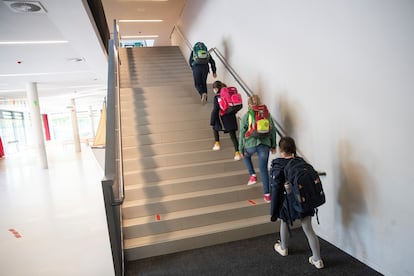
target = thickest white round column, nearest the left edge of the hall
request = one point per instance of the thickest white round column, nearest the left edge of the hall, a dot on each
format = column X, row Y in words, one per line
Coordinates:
column 36, row 120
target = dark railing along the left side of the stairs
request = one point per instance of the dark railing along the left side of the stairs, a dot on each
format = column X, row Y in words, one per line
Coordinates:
column 113, row 182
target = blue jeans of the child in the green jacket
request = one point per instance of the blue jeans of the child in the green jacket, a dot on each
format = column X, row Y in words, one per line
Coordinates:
column 263, row 153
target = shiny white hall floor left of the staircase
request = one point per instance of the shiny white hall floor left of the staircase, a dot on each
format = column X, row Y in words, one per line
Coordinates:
column 52, row 221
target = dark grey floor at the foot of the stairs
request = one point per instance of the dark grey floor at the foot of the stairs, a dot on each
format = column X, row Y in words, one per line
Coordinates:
column 251, row 257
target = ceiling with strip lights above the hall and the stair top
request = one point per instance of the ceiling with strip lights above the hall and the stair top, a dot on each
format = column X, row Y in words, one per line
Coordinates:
column 75, row 66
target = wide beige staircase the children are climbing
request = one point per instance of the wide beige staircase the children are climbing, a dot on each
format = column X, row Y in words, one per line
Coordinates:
column 179, row 193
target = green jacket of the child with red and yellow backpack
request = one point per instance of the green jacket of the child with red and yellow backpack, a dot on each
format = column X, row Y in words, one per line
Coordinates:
column 249, row 142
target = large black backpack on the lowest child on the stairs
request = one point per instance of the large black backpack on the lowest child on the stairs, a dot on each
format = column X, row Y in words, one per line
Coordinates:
column 306, row 185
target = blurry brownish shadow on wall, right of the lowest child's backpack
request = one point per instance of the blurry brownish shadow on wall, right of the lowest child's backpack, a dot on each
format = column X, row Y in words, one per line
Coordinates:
column 353, row 194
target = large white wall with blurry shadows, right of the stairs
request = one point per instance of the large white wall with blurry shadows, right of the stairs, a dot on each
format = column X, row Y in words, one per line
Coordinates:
column 339, row 76
